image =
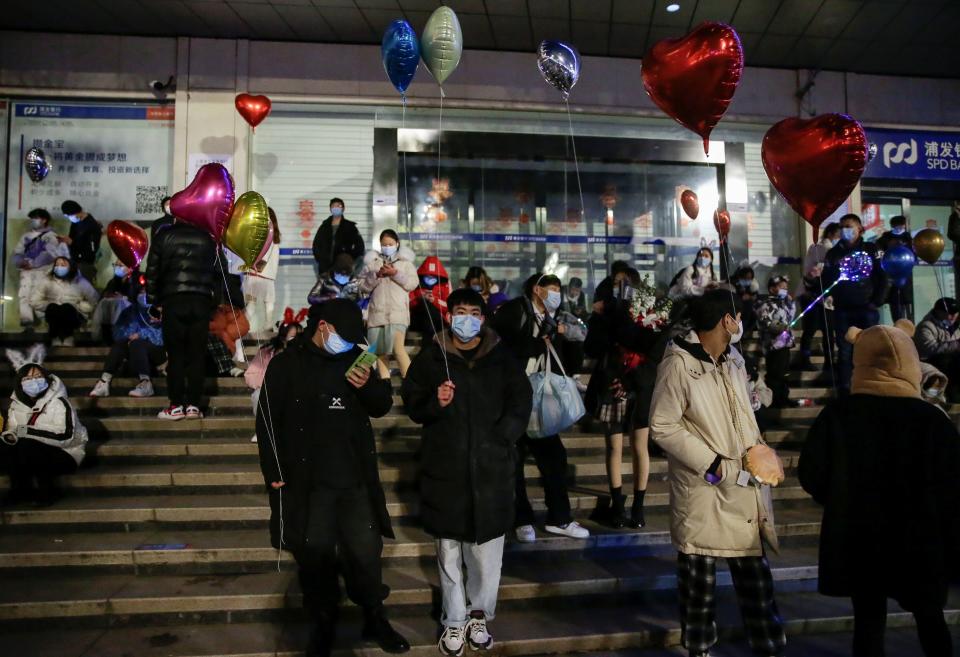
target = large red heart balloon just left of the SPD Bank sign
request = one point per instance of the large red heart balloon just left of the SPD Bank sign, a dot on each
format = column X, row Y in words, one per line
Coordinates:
column 815, row 163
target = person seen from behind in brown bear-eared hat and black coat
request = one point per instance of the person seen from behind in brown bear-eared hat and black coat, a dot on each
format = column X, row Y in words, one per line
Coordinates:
column 883, row 456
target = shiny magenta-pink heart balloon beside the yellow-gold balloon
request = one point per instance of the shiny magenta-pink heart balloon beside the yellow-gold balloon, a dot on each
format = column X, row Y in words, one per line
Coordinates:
column 208, row 201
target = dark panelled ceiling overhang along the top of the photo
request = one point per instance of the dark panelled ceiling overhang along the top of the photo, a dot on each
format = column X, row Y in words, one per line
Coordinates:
column 909, row 37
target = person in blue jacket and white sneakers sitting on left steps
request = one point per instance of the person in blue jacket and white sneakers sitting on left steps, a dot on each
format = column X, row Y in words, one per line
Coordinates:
column 138, row 342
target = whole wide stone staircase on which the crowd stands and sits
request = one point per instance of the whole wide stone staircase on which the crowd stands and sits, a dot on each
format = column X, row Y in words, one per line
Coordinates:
column 160, row 546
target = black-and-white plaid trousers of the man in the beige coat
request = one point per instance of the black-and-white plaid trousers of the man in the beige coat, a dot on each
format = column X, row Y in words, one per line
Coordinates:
column 697, row 581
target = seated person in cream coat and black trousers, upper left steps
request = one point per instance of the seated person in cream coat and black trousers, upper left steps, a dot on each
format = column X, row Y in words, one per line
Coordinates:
column 66, row 299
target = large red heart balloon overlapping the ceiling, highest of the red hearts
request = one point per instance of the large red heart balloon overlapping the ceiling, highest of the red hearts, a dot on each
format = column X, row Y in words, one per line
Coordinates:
column 693, row 79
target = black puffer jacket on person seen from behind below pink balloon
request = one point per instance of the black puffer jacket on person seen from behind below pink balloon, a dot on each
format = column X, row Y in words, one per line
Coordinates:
column 183, row 260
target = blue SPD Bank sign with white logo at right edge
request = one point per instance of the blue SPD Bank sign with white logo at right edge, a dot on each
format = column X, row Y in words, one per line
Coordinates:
column 915, row 155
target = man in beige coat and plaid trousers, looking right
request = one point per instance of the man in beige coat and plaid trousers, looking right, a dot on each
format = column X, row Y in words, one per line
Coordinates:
column 719, row 472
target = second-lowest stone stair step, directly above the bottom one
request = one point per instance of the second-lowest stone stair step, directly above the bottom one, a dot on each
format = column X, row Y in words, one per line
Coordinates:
column 411, row 582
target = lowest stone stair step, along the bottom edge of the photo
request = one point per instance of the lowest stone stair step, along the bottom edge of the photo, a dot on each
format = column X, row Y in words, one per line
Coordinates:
column 517, row 632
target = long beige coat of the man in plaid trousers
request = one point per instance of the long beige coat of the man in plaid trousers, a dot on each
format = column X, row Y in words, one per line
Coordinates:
column 691, row 419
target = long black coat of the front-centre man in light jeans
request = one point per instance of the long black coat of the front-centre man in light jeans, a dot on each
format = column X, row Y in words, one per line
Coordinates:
column 467, row 467
